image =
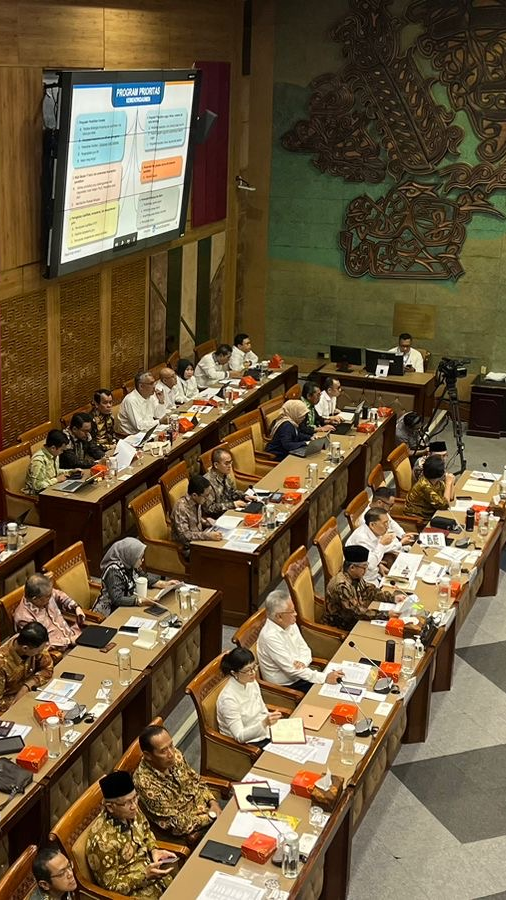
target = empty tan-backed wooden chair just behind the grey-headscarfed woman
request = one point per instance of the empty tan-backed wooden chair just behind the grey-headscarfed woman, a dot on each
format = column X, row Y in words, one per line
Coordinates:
column 70, row 573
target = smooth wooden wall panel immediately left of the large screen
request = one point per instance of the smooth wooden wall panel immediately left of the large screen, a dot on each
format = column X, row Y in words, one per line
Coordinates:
column 20, row 165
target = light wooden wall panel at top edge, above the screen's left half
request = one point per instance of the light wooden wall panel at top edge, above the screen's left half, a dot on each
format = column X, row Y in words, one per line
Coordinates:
column 59, row 34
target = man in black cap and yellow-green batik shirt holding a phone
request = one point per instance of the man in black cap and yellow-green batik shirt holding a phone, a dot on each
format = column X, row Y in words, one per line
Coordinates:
column 121, row 849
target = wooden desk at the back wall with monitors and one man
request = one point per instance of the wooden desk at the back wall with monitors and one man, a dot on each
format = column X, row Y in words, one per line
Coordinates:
column 416, row 388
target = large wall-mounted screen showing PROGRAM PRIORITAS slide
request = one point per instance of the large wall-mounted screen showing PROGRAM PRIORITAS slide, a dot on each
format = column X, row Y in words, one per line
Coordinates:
column 122, row 164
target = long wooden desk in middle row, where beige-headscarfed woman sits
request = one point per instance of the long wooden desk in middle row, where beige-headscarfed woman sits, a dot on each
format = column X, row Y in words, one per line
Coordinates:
column 245, row 577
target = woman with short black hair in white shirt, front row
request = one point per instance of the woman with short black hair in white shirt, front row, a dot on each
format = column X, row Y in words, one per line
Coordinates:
column 241, row 711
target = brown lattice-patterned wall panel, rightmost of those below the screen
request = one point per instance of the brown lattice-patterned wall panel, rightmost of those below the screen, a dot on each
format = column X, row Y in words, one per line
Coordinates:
column 128, row 290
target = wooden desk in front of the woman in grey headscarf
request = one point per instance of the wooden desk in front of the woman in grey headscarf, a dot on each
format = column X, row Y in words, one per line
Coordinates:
column 169, row 667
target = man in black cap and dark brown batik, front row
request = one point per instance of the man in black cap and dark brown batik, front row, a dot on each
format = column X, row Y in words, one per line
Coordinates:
column 349, row 596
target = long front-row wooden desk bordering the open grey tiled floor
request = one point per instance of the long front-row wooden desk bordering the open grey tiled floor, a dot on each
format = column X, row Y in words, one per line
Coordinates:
column 326, row 873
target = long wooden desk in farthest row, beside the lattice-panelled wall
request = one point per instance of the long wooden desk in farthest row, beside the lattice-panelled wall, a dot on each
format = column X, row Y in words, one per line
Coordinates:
column 98, row 514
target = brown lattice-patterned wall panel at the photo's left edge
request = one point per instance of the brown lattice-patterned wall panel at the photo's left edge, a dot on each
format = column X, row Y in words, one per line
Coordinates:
column 24, row 364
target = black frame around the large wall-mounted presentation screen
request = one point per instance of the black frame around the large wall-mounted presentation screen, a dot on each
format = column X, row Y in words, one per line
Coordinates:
column 68, row 79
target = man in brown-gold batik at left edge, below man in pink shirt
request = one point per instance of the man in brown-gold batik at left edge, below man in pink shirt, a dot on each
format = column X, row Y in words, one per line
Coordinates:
column 25, row 664
